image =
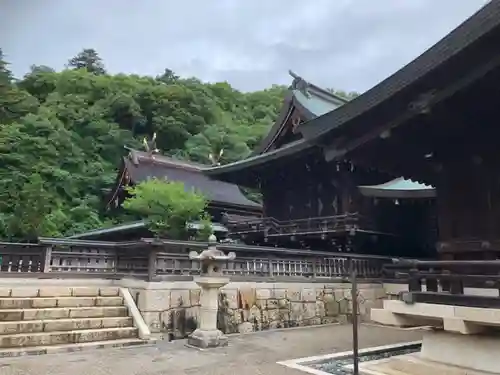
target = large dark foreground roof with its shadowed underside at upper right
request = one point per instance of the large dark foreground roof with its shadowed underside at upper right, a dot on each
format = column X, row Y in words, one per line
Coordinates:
column 442, row 98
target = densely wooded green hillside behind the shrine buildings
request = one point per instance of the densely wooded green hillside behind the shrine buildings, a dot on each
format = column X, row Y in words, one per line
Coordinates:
column 62, row 136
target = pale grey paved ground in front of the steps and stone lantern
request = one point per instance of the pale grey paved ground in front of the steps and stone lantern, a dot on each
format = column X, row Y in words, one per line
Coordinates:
column 251, row 354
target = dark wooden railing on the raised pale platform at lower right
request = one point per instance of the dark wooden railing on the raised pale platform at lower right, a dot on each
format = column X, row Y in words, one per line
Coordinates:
column 445, row 282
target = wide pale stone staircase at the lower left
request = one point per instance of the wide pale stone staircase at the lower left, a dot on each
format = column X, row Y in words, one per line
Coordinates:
column 42, row 320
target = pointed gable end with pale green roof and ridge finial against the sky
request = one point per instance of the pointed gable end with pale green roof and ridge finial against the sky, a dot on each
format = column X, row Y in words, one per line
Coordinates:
column 310, row 100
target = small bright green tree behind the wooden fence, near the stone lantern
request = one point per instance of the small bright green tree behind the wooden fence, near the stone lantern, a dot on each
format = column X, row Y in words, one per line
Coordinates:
column 167, row 207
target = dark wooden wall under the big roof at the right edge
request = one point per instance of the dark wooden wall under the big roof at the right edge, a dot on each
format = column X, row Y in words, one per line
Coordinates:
column 469, row 201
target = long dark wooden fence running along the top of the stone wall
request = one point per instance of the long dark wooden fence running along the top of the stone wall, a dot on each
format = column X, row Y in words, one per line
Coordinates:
column 151, row 258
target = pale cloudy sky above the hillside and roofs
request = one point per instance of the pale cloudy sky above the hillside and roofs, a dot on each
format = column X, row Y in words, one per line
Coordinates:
column 344, row 44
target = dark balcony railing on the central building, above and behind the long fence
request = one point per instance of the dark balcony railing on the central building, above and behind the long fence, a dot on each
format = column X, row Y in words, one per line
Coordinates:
column 327, row 224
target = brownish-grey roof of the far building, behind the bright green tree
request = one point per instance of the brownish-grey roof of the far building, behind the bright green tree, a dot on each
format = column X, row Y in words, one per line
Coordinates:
column 142, row 166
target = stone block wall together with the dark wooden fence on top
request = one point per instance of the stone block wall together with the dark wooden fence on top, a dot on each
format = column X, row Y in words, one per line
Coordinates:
column 268, row 287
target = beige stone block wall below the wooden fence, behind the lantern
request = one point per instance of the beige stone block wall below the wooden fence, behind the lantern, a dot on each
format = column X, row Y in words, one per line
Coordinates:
column 174, row 307
